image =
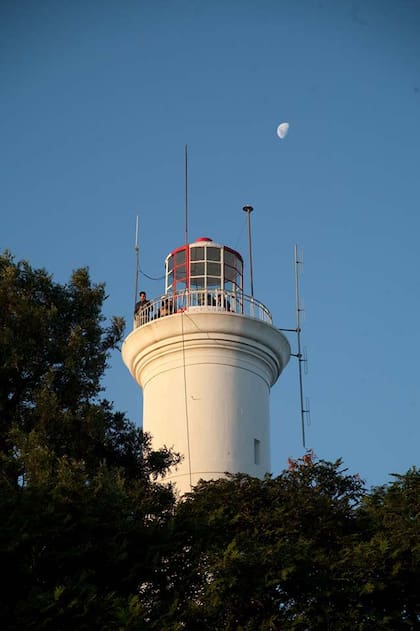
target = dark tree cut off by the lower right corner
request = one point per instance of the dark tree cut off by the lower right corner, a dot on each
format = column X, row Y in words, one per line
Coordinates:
column 388, row 559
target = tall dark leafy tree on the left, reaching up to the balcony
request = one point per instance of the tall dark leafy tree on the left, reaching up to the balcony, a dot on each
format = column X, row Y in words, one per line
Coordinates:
column 81, row 521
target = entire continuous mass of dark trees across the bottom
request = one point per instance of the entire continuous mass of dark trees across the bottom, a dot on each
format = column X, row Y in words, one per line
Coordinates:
column 90, row 539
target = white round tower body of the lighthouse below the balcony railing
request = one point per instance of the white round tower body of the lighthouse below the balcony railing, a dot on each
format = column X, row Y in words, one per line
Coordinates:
column 206, row 379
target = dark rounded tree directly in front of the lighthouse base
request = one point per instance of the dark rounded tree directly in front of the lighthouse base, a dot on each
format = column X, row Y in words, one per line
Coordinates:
column 268, row 554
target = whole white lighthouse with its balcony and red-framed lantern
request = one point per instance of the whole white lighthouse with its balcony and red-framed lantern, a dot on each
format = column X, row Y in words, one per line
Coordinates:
column 206, row 355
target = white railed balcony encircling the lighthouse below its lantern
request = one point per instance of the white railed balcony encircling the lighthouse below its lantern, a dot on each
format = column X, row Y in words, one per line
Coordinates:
column 210, row 301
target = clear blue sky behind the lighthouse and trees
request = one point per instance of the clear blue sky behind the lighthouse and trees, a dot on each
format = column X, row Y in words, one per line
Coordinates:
column 98, row 100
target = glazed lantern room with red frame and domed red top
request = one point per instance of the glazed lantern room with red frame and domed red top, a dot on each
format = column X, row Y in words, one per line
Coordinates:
column 204, row 266
